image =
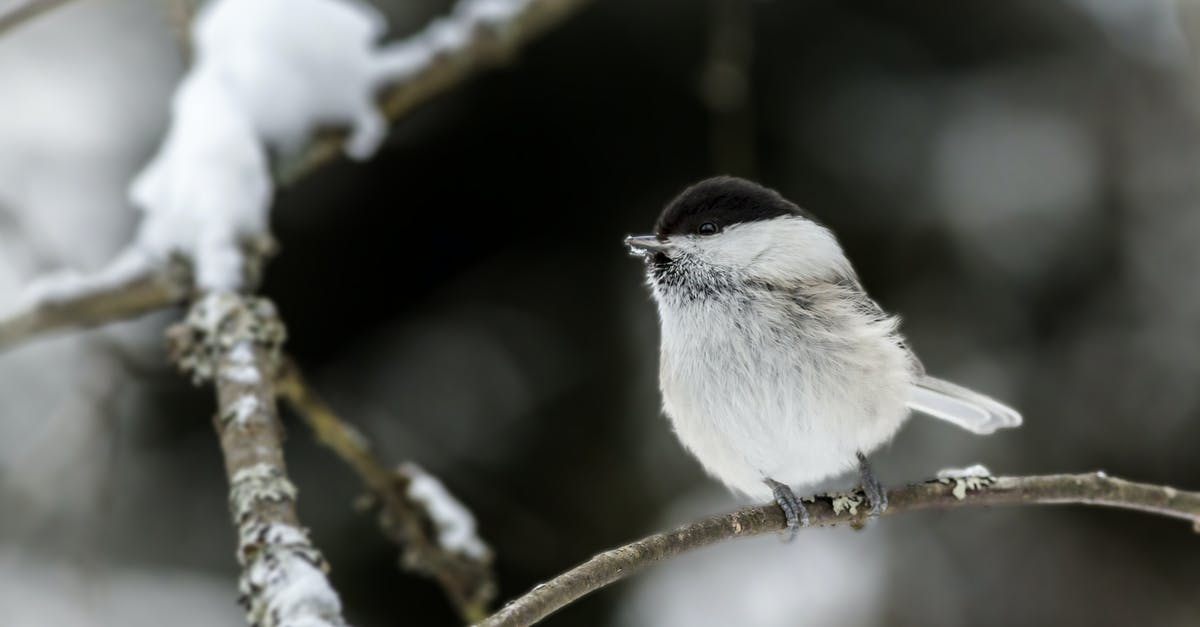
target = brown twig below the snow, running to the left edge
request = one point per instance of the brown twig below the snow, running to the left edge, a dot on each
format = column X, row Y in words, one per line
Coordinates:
column 98, row 304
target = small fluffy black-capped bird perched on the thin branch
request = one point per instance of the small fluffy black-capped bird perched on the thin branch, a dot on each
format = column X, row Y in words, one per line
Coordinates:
column 776, row 367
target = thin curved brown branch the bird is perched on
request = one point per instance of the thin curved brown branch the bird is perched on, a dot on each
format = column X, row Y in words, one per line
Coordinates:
column 1096, row 489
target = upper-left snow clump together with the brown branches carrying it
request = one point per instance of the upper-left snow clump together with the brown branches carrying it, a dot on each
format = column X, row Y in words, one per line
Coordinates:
column 267, row 76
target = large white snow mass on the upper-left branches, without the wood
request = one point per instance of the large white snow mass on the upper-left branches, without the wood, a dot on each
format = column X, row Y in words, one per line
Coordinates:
column 268, row 74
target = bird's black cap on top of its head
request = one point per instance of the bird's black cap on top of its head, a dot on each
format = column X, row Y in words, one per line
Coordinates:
column 723, row 202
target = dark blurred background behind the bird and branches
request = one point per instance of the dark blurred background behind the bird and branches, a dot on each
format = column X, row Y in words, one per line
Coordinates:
column 1018, row 181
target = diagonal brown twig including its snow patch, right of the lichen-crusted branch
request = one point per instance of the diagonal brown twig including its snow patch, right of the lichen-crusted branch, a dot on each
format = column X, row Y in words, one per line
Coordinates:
column 435, row 530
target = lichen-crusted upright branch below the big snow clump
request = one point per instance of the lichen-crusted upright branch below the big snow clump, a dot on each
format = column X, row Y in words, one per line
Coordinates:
column 235, row 342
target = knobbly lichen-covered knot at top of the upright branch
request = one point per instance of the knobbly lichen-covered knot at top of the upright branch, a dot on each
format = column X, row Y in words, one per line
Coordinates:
column 220, row 333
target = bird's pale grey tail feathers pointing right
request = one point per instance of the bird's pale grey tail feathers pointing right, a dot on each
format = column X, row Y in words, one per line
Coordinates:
column 961, row 407
